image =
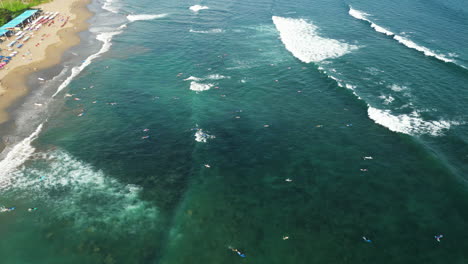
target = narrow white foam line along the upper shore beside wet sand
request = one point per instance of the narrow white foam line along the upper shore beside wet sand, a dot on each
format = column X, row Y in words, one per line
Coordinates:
column 106, row 38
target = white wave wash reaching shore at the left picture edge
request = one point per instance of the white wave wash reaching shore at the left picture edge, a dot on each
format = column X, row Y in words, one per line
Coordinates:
column 17, row 156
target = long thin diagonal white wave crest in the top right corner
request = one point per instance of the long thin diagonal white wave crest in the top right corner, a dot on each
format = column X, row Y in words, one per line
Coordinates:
column 408, row 43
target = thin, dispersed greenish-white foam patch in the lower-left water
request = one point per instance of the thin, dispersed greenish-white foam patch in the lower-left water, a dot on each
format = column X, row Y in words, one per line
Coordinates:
column 83, row 195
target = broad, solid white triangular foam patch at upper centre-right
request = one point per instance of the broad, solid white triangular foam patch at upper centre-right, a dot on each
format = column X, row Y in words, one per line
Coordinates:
column 302, row 40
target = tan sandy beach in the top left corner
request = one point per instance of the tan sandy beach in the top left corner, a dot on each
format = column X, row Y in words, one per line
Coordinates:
column 43, row 50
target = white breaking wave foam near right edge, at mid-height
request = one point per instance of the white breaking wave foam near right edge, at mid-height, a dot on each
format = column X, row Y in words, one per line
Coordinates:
column 411, row 124
